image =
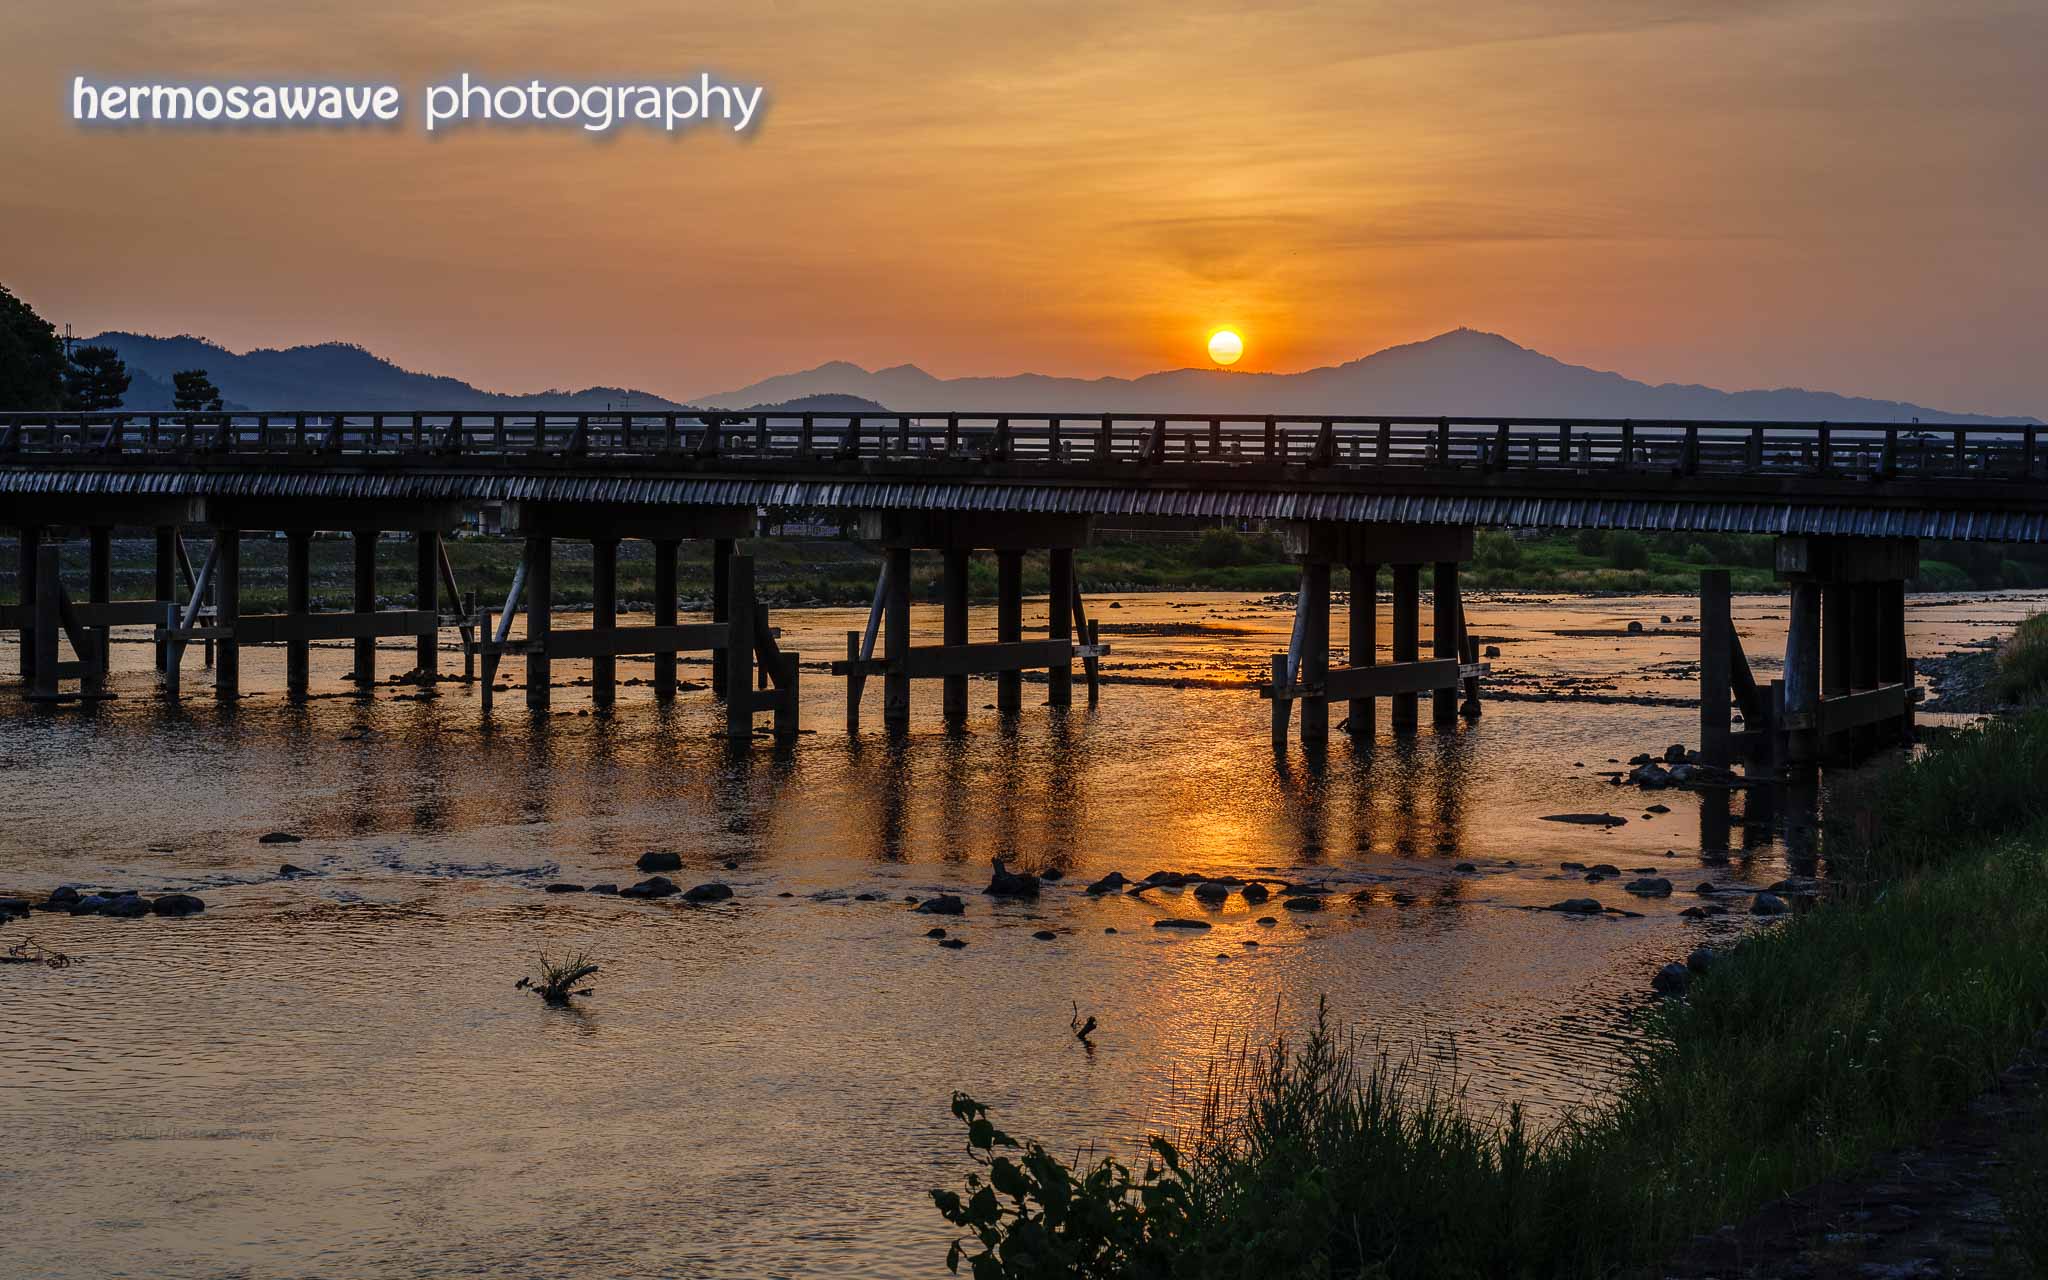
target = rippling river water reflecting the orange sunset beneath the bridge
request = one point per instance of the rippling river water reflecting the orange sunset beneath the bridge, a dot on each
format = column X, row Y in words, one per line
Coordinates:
column 335, row 1076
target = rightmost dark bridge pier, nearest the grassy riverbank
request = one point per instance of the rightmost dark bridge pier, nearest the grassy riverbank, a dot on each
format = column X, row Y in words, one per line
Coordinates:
column 1848, row 685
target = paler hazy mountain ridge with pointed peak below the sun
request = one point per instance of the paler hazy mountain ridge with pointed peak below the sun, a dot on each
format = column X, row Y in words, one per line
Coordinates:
column 1459, row 374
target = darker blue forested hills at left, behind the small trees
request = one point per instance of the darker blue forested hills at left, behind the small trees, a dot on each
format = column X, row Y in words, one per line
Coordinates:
column 333, row 376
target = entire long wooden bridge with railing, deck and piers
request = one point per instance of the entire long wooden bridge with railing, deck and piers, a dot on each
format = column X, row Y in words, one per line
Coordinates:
column 1846, row 503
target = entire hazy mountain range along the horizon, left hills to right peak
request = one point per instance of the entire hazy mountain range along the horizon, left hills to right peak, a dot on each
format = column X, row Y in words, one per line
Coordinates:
column 1459, row 374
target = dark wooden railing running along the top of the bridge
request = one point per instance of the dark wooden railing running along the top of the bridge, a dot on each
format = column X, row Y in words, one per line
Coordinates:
column 1517, row 445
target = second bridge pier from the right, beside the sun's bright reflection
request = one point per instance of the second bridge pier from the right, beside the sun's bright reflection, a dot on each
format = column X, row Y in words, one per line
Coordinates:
column 1304, row 673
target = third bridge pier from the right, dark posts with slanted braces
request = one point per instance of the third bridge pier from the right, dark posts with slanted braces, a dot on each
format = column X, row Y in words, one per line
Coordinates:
column 957, row 536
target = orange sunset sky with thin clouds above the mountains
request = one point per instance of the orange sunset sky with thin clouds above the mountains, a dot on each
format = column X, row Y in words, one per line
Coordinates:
column 1842, row 196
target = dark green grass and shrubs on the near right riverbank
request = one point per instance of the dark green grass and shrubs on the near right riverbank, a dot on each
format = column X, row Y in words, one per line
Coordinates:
column 1803, row 1054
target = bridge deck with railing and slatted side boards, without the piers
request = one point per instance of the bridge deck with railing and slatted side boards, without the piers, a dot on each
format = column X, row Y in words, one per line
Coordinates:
column 1816, row 478
